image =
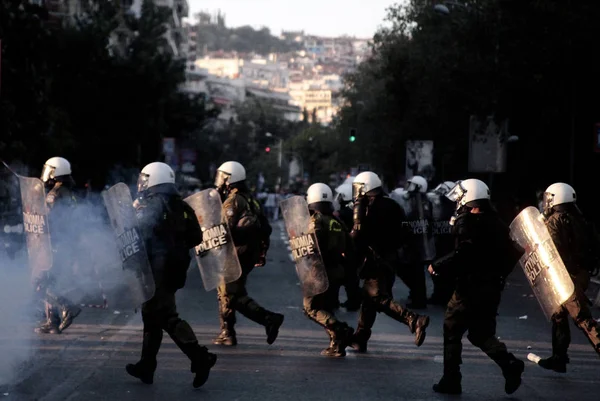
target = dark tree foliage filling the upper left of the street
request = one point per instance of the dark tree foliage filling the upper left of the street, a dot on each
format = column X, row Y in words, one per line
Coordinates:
column 66, row 92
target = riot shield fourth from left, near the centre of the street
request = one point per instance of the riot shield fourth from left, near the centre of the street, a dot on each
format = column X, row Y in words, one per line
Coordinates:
column 305, row 248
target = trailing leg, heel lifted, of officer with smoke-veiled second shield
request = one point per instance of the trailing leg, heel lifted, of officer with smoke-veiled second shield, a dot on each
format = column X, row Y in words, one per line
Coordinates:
column 183, row 336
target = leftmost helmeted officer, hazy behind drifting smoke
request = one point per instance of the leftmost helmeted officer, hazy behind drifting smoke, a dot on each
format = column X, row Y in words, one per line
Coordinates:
column 61, row 201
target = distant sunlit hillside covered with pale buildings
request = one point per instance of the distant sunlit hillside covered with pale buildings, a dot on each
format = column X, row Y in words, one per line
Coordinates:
column 293, row 72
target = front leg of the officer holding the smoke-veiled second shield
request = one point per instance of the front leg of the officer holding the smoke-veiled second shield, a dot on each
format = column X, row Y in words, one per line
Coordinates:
column 152, row 339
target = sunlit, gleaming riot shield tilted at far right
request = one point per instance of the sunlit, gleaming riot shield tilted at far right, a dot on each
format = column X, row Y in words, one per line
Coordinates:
column 541, row 262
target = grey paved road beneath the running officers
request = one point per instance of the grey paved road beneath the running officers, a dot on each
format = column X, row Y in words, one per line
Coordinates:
column 87, row 361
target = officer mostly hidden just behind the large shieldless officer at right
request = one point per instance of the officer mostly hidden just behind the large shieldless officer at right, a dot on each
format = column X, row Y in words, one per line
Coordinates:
column 442, row 212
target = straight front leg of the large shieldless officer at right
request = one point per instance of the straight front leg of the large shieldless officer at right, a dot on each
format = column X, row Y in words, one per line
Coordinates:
column 455, row 326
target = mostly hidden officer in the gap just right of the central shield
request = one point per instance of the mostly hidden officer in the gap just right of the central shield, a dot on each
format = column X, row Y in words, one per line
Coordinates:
column 351, row 281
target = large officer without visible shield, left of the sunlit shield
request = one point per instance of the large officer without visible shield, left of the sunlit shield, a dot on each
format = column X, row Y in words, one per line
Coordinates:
column 483, row 257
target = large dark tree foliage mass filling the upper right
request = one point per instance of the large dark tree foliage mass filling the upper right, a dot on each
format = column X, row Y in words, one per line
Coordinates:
column 533, row 62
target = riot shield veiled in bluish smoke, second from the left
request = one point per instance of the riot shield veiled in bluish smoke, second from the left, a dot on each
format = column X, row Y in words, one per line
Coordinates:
column 132, row 283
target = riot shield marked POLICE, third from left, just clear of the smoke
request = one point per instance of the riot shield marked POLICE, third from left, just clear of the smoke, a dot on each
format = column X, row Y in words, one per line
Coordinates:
column 216, row 255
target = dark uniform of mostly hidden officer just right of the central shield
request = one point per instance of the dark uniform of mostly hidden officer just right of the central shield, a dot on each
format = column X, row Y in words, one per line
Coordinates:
column 351, row 282
